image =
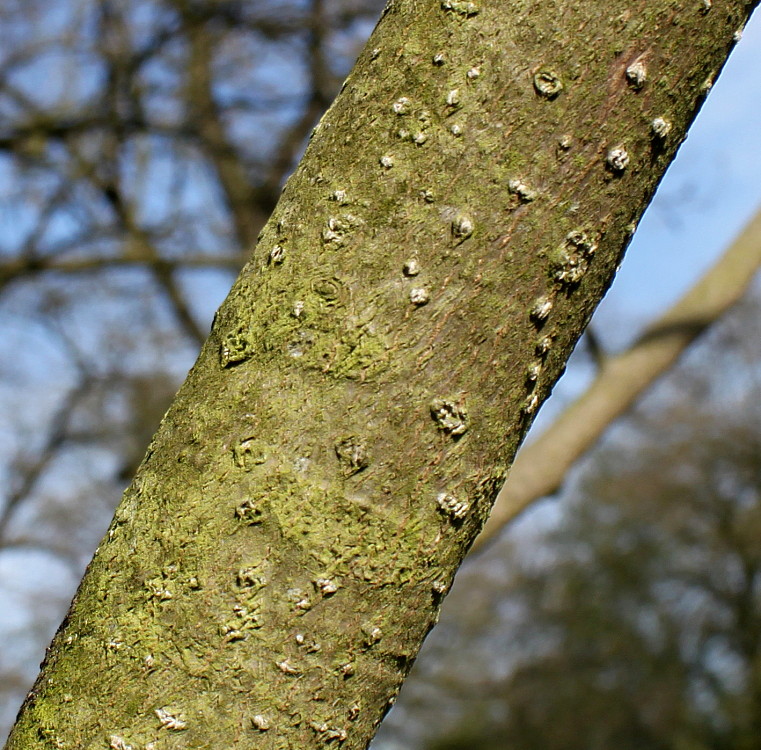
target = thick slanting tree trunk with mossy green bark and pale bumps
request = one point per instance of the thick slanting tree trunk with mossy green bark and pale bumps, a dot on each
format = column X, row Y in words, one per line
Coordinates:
column 271, row 572
